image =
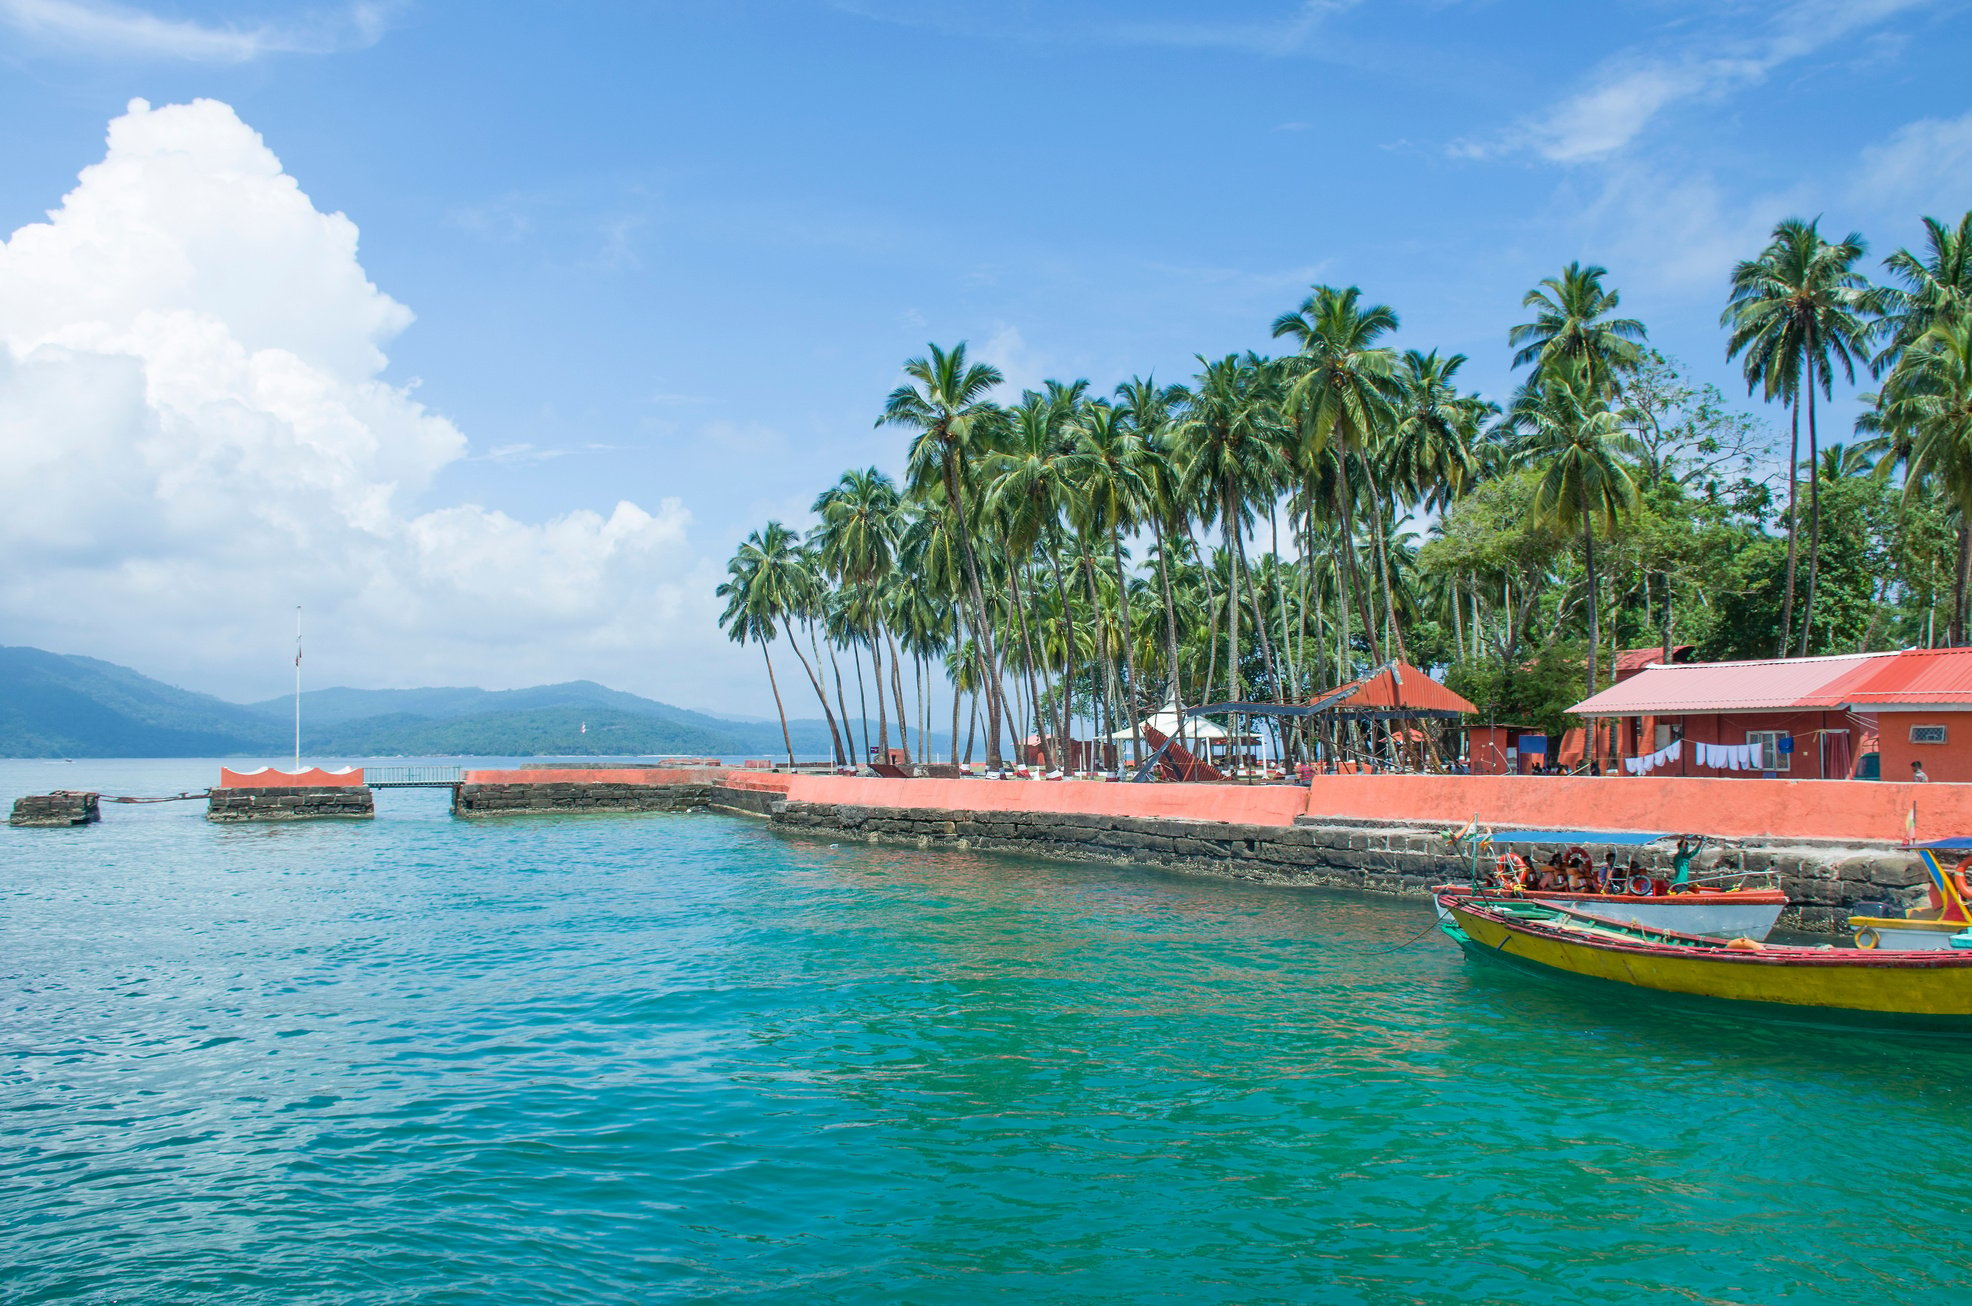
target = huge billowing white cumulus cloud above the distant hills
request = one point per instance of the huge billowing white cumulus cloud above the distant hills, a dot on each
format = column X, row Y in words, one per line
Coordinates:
column 196, row 435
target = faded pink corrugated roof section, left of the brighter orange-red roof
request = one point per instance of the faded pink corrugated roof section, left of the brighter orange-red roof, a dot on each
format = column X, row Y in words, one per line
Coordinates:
column 1772, row 684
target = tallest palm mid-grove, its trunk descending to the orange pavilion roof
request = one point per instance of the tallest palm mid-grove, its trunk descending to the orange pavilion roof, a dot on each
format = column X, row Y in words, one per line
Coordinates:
column 1344, row 392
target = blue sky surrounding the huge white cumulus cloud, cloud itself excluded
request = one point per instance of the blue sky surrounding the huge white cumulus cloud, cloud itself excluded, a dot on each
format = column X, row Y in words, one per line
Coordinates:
column 679, row 250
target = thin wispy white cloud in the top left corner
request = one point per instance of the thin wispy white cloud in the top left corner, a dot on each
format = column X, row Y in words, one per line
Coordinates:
column 121, row 31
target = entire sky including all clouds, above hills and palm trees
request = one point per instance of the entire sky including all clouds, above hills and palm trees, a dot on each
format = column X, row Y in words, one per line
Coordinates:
column 484, row 332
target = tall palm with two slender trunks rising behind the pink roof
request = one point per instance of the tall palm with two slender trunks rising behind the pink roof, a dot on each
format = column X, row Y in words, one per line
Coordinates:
column 1797, row 313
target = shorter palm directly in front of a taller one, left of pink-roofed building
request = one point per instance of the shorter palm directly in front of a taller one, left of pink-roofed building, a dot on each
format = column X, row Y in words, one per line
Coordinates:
column 1577, row 443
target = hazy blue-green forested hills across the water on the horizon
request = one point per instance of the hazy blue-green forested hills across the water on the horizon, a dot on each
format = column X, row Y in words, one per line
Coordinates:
column 56, row 705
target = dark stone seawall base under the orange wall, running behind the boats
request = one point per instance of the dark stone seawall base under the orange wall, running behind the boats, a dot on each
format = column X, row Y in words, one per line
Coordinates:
column 1823, row 881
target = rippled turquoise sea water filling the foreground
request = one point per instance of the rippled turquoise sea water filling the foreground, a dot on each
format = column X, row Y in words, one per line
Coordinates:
column 683, row 1058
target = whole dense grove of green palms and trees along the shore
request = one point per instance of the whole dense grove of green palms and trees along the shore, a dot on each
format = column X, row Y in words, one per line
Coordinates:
column 1068, row 563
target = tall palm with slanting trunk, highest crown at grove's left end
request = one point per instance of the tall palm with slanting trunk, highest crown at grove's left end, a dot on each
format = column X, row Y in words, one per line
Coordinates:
column 948, row 403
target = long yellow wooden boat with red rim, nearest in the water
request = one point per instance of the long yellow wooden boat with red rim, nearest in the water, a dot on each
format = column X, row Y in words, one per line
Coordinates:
column 1880, row 987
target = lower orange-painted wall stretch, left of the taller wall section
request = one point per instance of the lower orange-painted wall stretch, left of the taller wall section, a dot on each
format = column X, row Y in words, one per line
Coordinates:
column 1233, row 804
